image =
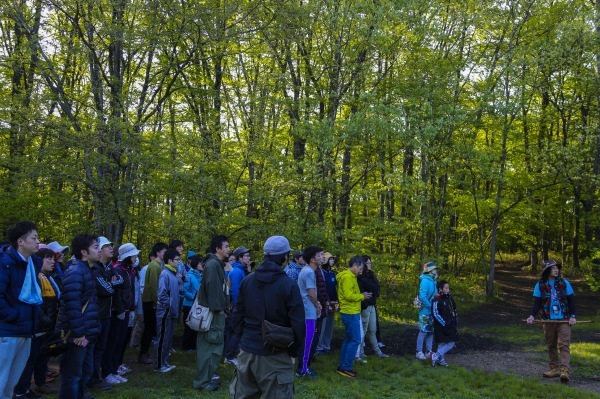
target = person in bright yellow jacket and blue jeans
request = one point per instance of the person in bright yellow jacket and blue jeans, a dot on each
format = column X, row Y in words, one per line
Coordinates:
column 350, row 297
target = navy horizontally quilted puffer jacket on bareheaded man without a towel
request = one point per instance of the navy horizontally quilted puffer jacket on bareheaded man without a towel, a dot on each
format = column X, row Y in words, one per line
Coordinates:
column 78, row 287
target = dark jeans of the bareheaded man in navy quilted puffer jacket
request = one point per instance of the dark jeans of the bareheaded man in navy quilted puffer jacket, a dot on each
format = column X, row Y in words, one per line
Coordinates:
column 76, row 368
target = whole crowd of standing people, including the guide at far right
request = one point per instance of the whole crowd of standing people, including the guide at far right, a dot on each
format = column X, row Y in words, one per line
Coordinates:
column 90, row 308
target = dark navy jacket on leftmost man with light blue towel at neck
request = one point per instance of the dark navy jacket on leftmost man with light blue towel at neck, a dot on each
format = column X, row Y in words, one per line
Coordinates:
column 17, row 319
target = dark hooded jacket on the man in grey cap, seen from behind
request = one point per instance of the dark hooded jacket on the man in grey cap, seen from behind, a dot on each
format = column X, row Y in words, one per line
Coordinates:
column 268, row 294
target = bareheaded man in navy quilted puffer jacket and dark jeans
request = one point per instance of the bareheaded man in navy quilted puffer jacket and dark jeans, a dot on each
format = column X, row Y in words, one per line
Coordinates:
column 78, row 316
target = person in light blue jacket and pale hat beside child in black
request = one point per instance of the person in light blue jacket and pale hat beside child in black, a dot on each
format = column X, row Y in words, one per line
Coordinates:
column 427, row 290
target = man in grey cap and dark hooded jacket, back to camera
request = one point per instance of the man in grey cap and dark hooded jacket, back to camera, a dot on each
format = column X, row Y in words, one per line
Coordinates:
column 267, row 294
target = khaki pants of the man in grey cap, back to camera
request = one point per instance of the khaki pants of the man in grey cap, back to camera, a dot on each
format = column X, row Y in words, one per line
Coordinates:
column 263, row 376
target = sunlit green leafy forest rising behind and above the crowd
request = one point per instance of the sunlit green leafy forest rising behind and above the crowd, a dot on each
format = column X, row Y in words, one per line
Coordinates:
column 410, row 130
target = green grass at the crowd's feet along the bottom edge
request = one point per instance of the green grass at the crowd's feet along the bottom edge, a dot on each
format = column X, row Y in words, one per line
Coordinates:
column 396, row 377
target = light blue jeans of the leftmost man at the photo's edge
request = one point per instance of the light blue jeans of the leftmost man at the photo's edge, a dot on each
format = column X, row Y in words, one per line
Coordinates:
column 15, row 352
